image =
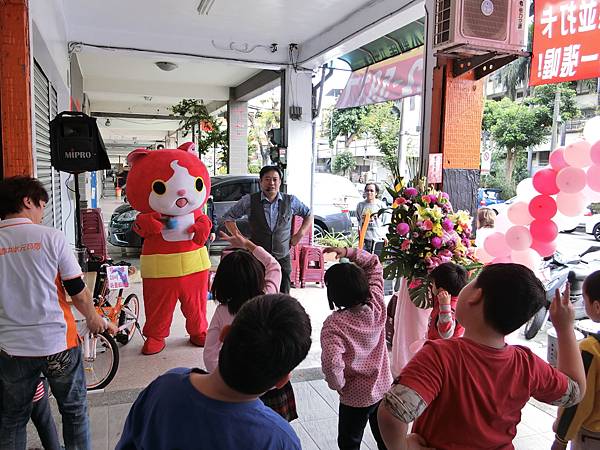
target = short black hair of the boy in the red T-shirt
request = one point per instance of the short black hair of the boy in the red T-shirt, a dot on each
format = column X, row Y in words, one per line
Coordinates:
column 512, row 294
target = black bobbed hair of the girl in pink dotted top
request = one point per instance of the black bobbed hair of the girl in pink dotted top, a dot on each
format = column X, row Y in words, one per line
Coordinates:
column 347, row 285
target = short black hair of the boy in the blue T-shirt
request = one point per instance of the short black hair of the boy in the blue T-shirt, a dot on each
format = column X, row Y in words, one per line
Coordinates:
column 269, row 336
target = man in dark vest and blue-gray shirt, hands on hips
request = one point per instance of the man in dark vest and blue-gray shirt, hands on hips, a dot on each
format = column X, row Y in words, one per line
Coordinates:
column 270, row 215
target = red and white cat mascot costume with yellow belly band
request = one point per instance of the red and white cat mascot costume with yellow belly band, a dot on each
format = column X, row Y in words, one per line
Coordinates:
column 169, row 188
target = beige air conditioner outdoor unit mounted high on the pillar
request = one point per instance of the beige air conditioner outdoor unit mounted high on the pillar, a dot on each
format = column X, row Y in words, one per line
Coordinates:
column 474, row 27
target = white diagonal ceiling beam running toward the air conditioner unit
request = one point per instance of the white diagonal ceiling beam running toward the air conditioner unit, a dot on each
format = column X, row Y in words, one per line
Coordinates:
column 373, row 20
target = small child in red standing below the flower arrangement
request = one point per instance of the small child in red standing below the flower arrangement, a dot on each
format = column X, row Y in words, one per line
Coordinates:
column 447, row 281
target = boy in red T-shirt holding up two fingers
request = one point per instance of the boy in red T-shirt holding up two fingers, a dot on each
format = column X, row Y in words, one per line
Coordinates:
column 469, row 392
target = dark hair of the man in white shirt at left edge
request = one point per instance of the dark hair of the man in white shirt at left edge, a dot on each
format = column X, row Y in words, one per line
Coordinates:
column 14, row 190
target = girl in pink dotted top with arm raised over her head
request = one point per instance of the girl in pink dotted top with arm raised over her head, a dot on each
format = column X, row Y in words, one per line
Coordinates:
column 354, row 355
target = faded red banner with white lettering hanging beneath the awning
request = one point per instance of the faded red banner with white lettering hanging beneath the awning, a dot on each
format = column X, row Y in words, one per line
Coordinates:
column 391, row 79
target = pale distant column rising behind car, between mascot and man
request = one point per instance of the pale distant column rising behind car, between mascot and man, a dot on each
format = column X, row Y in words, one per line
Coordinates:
column 238, row 137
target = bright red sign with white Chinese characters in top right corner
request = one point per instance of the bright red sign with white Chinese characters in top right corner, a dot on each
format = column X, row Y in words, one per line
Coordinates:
column 566, row 41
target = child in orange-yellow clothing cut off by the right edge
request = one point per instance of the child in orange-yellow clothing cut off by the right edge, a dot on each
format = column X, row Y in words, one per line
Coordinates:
column 581, row 423
